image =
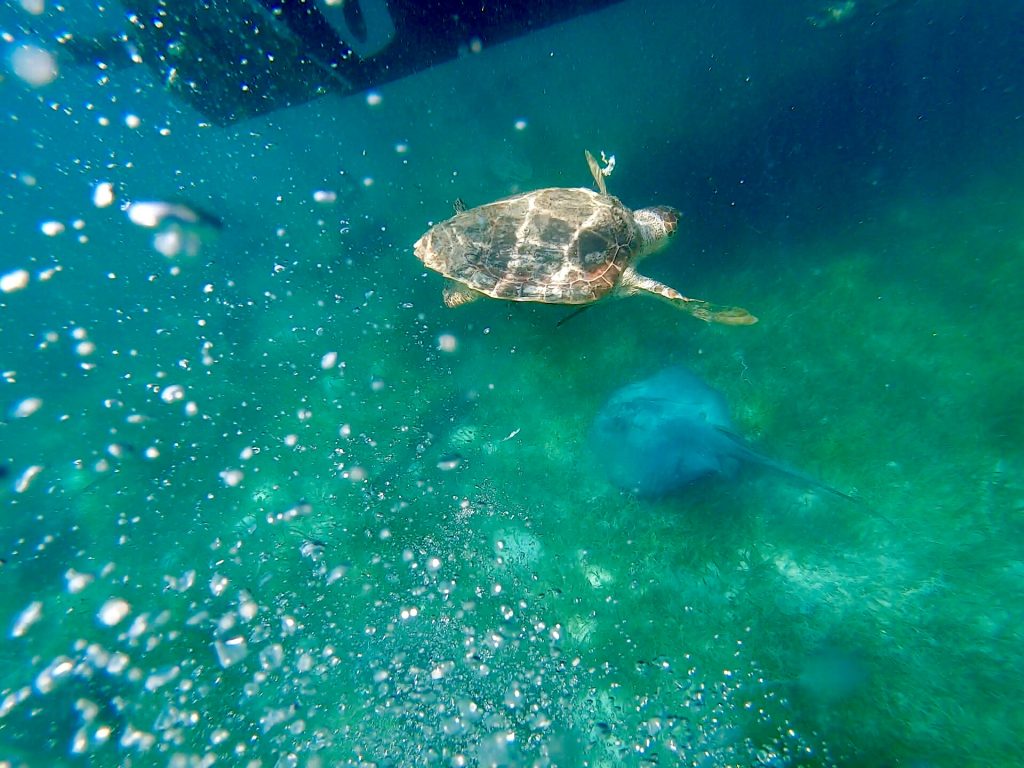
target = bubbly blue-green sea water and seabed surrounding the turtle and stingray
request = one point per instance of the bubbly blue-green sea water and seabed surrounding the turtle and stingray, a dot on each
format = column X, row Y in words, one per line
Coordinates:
column 231, row 533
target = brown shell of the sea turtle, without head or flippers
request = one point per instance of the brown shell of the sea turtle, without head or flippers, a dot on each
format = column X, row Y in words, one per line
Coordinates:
column 558, row 246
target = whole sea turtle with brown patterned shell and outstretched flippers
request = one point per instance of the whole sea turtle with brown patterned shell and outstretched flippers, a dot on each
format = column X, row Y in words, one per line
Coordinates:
column 558, row 246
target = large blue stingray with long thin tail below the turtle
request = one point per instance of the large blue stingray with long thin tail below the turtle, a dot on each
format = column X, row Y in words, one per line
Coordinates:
column 657, row 437
